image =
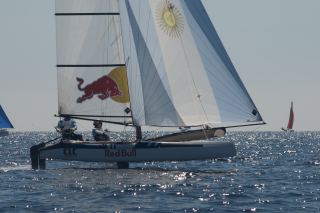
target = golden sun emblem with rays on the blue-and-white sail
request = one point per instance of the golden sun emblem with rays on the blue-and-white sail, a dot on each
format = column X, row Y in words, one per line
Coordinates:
column 169, row 19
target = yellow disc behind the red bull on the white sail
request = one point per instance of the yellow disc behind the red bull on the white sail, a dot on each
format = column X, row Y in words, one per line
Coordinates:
column 119, row 74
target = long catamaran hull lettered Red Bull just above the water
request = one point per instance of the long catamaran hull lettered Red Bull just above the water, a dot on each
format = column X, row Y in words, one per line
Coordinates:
column 137, row 152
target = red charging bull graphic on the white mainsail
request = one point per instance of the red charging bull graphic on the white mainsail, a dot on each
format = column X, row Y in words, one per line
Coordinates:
column 105, row 87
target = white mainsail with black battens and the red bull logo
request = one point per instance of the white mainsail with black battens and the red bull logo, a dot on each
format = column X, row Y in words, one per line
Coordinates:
column 91, row 73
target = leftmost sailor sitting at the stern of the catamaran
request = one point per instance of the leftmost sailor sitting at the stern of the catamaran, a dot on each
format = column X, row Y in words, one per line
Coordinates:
column 66, row 127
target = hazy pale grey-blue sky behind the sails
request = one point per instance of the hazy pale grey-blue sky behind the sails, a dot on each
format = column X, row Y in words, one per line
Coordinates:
column 273, row 44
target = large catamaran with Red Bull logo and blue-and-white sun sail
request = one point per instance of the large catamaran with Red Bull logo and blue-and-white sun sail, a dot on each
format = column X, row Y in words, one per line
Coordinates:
column 145, row 63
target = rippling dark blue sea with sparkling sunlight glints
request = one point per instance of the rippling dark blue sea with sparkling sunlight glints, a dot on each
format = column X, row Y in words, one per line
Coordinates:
column 272, row 172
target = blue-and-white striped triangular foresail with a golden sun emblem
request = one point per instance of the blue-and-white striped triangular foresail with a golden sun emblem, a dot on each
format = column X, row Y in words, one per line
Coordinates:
column 179, row 73
